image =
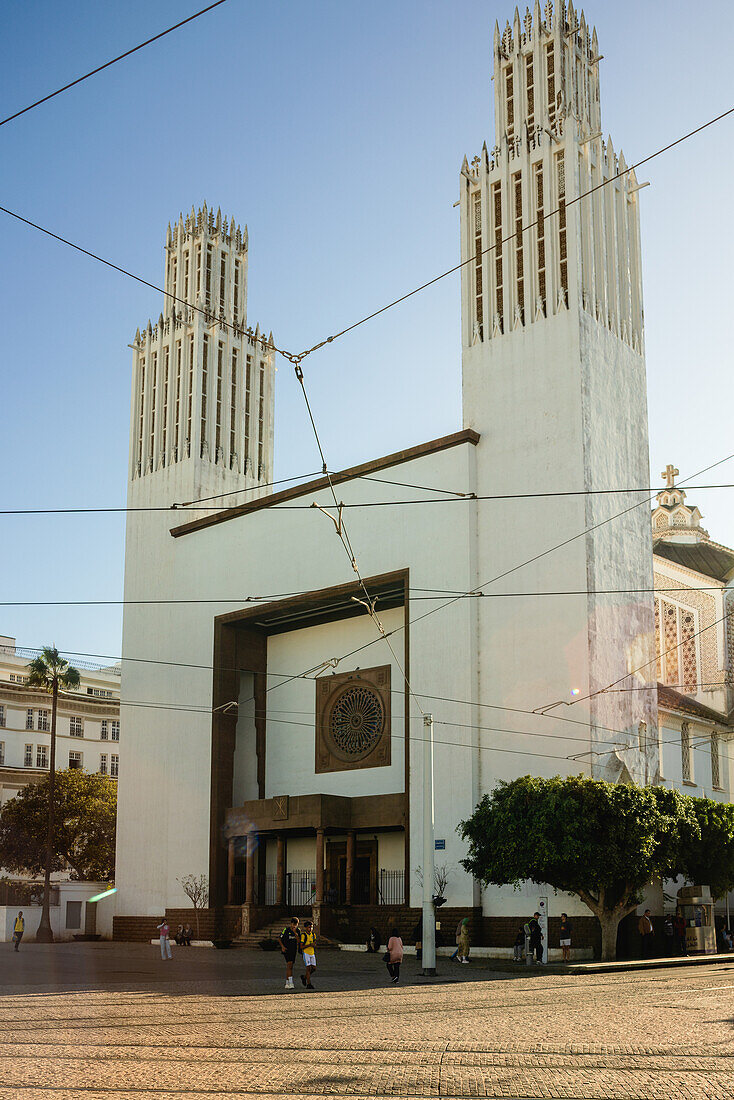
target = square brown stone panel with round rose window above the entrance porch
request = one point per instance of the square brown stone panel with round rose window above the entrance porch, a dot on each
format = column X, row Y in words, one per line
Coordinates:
column 353, row 721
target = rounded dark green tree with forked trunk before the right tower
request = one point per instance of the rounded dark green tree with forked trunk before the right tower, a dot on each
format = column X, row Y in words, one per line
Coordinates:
column 601, row 842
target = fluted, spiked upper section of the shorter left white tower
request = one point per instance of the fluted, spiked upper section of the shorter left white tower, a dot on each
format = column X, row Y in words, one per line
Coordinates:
column 203, row 380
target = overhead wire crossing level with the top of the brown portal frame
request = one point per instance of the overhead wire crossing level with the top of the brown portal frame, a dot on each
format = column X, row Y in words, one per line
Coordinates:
column 439, row 595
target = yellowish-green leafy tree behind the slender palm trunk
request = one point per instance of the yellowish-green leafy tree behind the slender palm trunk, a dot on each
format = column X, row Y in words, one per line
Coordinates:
column 84, row 828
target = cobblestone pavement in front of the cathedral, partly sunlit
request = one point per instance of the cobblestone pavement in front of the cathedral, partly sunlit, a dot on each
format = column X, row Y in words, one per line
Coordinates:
column 113, row 1022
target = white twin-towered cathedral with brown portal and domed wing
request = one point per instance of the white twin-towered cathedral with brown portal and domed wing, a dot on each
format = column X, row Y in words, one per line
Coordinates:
column 275, row 745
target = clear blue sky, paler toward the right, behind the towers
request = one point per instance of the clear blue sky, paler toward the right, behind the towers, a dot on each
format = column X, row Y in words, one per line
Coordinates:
column 337, row 133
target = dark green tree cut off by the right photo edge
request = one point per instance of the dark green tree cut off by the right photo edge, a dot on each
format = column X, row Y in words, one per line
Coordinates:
column 708, row 852
